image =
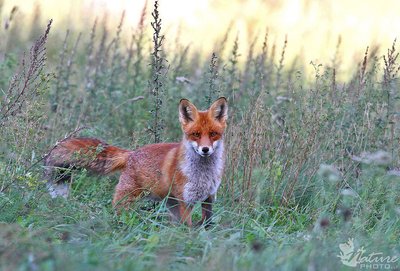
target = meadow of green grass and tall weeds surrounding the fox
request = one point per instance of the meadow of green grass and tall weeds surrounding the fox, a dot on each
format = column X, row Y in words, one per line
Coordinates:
column 312, row 160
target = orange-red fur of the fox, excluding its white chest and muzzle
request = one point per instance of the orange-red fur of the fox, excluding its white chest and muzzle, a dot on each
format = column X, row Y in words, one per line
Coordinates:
column 154, row 168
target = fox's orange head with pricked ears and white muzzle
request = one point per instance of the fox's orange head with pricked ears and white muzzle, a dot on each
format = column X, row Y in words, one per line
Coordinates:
column 203, row 129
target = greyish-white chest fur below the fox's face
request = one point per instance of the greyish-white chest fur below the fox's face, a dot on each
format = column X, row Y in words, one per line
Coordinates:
column 203, row 173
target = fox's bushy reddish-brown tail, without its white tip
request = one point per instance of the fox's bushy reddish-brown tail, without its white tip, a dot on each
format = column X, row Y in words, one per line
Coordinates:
column 89, row 153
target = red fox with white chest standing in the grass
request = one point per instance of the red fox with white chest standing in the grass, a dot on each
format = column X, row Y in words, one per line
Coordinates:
column 186, row 172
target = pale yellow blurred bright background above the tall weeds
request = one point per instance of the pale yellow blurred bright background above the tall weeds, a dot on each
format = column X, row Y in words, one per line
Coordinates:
column 313, row 27
